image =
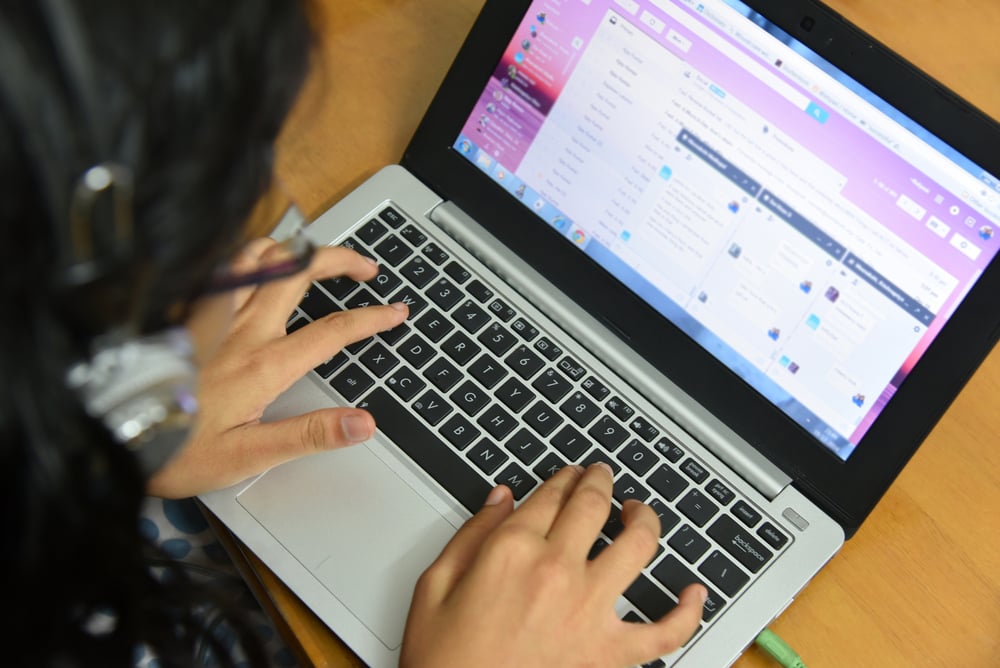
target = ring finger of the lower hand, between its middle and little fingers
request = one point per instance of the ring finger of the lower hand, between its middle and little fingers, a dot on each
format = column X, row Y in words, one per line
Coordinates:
column 617, row 566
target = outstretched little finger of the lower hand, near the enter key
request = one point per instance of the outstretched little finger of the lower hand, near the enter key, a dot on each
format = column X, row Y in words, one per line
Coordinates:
column 646, row 641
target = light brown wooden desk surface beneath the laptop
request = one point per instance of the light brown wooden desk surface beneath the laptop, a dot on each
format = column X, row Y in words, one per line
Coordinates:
column 919, row 585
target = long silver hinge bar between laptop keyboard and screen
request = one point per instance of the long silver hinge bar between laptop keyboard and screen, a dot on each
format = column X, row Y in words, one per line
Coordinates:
column 594, row 335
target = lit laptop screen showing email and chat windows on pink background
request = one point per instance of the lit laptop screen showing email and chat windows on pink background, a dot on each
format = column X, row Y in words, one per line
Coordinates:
column 805, row 233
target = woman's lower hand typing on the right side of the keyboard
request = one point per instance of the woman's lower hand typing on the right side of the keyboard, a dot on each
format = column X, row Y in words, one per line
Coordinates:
column 515, row 588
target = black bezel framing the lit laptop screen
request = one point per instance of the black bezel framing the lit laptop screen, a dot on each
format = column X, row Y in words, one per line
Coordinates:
column 847, row 490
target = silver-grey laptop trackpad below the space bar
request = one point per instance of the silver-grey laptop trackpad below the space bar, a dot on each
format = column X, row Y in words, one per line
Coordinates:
column 354, row 524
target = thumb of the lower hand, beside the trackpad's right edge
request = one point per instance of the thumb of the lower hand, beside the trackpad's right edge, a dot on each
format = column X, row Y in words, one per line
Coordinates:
column 460, row 552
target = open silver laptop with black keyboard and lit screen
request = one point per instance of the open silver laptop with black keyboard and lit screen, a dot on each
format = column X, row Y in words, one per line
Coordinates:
column 738, row 250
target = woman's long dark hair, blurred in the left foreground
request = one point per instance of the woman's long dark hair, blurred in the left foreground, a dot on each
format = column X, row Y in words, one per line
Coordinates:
column 188, row 96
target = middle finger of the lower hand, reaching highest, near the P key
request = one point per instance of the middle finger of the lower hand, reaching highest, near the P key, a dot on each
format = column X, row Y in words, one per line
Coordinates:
column 585, row 512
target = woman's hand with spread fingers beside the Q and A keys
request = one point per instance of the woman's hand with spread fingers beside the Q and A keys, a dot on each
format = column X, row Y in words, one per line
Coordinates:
column 247, row 360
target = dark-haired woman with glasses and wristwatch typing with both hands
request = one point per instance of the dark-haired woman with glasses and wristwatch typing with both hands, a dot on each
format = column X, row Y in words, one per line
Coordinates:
column 135, row 138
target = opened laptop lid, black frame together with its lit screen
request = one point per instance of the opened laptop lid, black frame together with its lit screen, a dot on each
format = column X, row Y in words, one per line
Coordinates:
column 782, row 216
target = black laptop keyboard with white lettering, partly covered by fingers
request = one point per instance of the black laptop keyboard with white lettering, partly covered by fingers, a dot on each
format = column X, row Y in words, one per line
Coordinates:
column 477, row 395
